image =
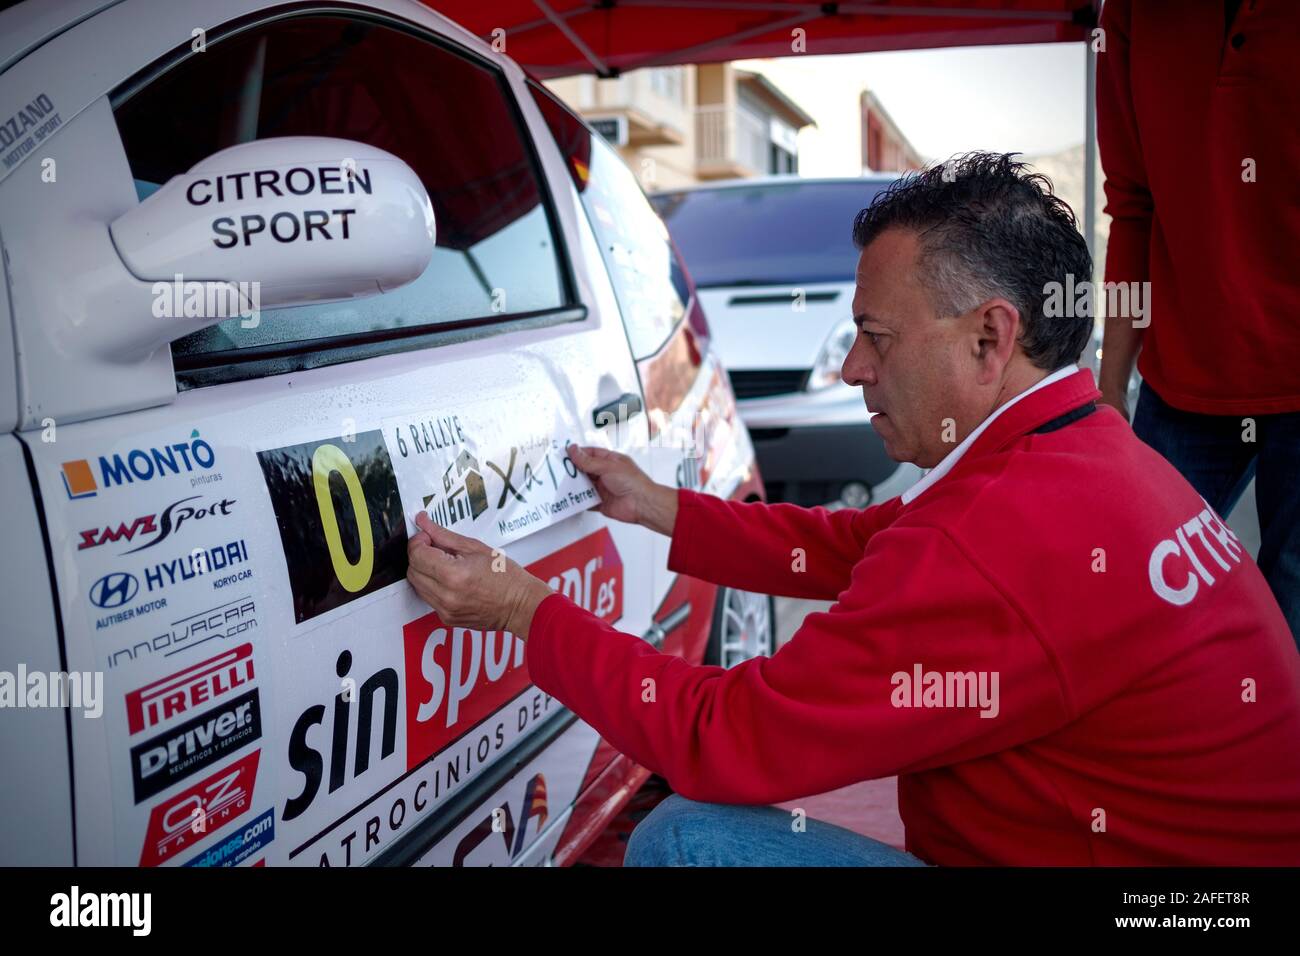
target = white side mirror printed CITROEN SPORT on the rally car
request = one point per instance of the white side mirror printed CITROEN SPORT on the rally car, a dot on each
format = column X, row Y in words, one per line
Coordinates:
column 268, row 224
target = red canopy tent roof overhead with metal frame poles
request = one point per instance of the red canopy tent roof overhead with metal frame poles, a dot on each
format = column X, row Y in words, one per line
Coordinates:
column 556, row 38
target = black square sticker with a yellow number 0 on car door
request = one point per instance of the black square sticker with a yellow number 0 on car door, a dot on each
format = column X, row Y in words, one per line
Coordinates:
column 340, row 520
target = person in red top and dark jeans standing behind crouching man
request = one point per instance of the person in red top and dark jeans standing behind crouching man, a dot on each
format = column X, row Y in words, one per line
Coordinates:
column 1197, row 124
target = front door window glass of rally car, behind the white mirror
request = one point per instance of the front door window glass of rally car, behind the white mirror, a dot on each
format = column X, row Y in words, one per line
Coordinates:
column 448, row 116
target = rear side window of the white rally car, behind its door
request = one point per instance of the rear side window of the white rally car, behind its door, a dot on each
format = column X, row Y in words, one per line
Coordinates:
column 648, row 280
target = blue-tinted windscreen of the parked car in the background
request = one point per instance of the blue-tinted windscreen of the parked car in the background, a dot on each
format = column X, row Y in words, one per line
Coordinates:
column 770, row 235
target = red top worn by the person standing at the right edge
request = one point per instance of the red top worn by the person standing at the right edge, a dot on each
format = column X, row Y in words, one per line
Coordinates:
column 1186, row 109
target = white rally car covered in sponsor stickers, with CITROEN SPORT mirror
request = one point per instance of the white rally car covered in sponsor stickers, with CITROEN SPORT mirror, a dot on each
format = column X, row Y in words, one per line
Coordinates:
column 279, row 278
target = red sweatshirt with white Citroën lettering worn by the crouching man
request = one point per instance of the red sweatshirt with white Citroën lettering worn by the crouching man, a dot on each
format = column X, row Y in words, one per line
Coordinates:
column 1149, row 707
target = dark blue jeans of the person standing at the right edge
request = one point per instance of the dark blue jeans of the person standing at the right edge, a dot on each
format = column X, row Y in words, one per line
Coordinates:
column 1212, row 456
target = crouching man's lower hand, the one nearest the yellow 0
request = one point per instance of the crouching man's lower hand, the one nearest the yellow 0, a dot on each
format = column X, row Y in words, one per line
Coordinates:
column 470, row 585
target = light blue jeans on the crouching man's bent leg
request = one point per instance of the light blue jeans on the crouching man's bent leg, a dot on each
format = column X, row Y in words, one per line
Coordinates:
column 684, row 833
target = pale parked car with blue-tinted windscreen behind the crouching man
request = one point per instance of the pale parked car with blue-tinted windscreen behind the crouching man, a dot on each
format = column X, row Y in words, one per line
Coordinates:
column 774, row 263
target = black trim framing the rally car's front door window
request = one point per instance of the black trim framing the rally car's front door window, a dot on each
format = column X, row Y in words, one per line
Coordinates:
column 245, row 365
